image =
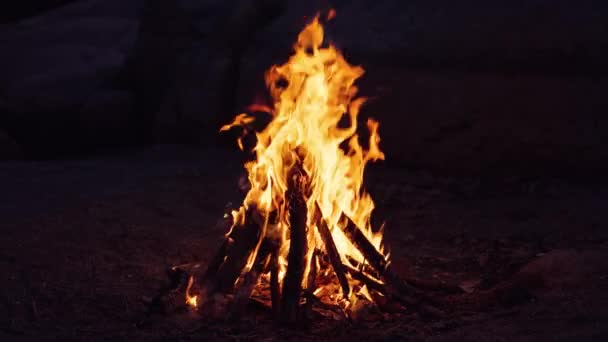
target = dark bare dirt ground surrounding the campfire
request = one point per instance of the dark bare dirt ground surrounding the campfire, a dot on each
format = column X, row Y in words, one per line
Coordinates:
column 83, row 242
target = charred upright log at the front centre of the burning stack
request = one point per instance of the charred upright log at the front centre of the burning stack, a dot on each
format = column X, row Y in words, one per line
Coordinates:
column 292, row 283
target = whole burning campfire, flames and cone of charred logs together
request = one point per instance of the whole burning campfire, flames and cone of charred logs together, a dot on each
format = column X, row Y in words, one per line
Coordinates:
column 302, row 239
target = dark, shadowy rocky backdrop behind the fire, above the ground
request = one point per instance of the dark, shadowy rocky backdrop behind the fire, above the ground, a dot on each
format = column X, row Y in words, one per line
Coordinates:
column 467, row 87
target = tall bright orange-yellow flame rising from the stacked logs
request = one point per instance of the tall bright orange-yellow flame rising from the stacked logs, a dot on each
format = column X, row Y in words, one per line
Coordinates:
column 314, row 124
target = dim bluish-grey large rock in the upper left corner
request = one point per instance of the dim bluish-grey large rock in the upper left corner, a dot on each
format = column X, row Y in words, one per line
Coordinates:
column 52, row 67
